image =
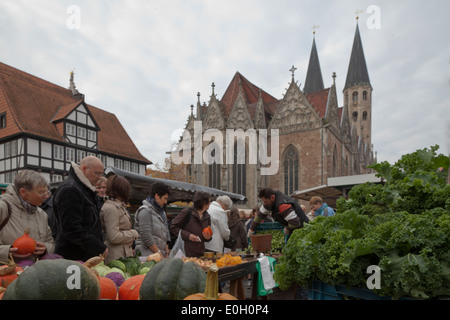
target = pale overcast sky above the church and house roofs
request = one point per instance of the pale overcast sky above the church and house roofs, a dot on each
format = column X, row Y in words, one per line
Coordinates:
column 145, row 61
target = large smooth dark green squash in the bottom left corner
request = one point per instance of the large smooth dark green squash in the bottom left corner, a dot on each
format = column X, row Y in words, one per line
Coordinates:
column 54, row 280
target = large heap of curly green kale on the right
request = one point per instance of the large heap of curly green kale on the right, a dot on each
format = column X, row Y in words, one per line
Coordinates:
column 402, row 227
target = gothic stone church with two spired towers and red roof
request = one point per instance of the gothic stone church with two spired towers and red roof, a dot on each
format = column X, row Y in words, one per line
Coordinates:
column 317, row 139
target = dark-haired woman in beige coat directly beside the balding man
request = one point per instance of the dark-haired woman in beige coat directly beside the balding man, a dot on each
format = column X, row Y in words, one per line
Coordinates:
column 116, row 221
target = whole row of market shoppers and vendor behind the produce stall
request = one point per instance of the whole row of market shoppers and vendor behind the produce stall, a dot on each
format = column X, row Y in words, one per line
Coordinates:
column 88, row 215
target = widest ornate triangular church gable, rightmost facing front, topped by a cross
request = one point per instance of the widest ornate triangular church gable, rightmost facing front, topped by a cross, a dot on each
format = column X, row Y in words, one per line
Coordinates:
column 295, row 113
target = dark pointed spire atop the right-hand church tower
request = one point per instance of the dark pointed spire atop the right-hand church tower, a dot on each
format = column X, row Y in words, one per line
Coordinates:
column 357, row 73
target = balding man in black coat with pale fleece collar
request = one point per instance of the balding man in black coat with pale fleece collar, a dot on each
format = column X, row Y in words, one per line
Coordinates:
column 79, row 234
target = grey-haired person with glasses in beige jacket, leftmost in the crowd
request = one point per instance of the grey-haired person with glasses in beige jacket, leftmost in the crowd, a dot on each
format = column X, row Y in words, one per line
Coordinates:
column 19, row 211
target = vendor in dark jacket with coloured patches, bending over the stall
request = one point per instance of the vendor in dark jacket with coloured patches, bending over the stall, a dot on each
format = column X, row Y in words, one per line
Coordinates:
column 284, row 209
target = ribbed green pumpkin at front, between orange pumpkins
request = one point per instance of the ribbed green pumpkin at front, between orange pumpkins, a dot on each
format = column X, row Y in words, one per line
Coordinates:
column 172, row 279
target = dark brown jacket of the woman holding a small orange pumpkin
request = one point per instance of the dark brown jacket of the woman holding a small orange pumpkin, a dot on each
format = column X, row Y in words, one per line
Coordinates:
column 195, row 225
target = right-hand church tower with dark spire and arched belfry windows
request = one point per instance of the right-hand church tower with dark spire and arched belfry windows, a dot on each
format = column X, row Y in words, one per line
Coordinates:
column 358, row 92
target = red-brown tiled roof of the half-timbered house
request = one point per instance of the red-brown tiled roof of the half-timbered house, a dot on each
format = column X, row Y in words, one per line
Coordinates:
column 32, row 104
